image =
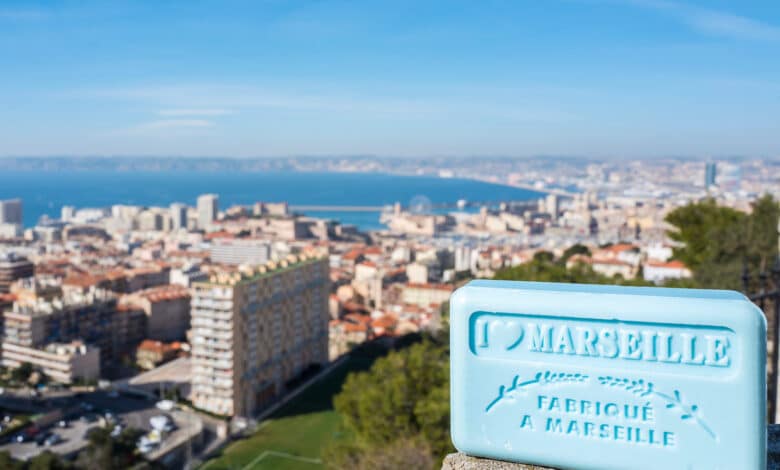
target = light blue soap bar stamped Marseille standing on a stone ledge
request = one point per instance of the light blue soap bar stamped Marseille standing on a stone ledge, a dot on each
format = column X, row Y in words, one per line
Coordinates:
column 608, row 377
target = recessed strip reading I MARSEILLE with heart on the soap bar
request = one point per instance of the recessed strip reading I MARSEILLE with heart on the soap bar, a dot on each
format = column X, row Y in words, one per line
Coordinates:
column 531, row 337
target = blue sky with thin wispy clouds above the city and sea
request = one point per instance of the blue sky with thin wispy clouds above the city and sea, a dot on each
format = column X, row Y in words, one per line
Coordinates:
column 599, row 78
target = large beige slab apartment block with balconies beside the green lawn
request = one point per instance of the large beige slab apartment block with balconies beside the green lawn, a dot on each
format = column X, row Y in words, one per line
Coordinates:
column 255, row 329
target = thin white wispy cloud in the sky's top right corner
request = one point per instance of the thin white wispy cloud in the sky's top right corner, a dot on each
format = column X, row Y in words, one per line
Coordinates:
column 713, row 22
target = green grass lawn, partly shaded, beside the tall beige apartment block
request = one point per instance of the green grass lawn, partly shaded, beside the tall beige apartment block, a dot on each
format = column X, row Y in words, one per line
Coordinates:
column 294, row 436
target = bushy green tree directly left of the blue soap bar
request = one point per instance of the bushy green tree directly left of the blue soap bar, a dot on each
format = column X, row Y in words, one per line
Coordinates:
column 404, row 394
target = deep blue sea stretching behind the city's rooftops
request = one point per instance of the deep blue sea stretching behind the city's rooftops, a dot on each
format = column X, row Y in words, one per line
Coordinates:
column 45, row 192
